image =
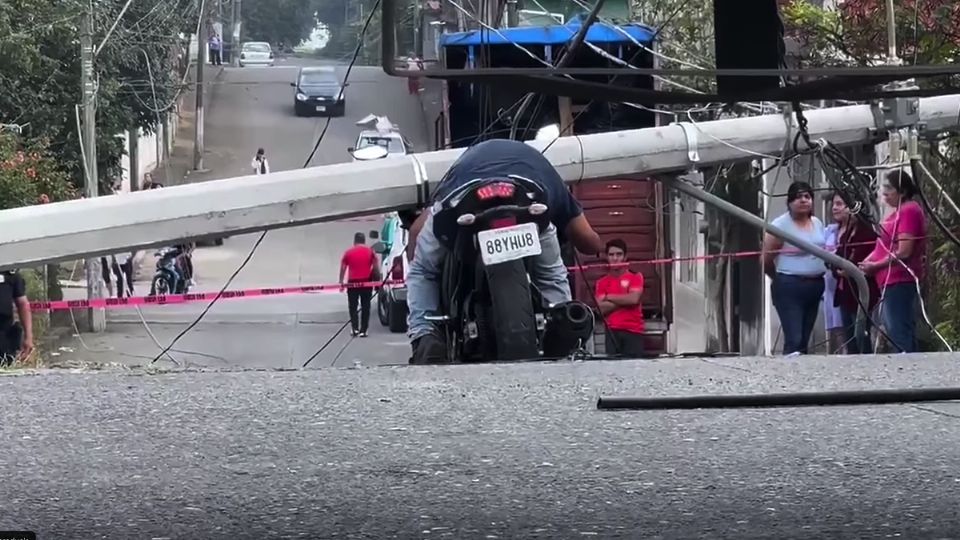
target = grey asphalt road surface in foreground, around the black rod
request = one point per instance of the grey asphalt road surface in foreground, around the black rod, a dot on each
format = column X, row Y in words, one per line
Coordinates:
column 497, row 451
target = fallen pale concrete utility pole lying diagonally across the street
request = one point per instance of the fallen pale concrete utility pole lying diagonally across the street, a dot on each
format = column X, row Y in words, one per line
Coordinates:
column 74, row 229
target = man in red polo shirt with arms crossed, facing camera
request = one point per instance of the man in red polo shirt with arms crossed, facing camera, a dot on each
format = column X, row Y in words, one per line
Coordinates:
column 618, row 297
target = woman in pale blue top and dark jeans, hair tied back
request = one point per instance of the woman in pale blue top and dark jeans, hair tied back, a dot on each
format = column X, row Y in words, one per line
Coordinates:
column 798, row 277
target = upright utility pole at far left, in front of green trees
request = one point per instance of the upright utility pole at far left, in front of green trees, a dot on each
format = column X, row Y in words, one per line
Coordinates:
column 96, row 318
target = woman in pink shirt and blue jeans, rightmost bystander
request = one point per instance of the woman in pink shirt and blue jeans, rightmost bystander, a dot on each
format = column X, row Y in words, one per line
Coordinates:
column 898, row 260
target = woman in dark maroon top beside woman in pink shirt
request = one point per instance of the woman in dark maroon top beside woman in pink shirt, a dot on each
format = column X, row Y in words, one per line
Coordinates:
column 856, row 241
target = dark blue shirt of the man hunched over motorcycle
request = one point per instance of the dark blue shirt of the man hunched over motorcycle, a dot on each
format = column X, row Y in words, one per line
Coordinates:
column 502, row 157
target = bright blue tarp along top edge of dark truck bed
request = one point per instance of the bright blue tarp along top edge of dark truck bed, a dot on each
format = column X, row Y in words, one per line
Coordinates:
column 548, row 35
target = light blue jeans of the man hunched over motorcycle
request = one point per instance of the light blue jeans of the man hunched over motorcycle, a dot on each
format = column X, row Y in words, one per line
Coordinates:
column 548, row 273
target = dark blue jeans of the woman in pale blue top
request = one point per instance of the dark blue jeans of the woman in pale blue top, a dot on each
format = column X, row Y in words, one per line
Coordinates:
column 797, row 300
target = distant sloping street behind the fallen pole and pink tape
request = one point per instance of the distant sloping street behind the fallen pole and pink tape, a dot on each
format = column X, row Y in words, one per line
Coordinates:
column 250, row 108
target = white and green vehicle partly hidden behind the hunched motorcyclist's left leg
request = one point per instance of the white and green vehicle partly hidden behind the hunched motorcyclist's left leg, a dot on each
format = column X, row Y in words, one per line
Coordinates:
column 392, row 307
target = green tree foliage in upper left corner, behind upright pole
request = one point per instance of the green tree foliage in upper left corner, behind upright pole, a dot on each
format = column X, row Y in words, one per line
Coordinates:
column 40, row 72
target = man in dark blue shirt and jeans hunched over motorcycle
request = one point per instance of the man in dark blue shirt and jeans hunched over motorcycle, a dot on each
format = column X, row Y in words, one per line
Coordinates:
column 491, row 159
